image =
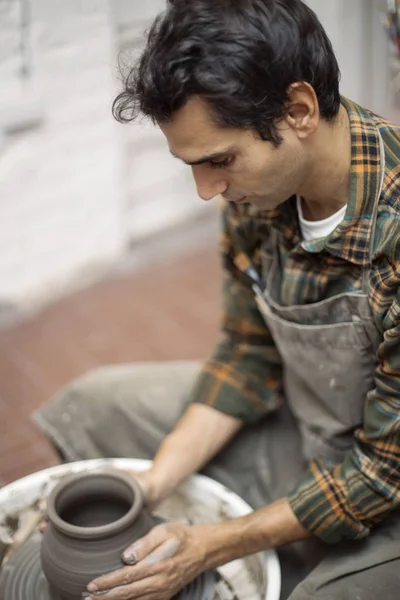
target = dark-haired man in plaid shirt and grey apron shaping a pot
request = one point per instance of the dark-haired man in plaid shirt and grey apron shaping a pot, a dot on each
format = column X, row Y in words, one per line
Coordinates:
column 298, row 408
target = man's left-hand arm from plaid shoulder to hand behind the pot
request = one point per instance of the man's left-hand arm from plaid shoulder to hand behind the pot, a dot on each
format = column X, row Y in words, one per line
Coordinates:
column 241, row 382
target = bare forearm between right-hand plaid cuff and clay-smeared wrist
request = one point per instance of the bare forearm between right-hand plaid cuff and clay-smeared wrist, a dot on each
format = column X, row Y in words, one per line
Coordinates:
column 270, row 527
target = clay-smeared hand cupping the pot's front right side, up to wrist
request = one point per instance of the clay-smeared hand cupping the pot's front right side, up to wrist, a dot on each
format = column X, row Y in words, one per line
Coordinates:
column 160, row 565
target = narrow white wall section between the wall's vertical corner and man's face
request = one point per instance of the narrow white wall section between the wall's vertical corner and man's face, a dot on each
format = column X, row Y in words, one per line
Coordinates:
column 159, row 189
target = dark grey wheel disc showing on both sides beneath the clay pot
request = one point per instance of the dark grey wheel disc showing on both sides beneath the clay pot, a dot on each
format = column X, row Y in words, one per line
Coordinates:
column 22, row 578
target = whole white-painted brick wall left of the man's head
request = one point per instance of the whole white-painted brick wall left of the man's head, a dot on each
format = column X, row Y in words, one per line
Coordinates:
column 75, row 191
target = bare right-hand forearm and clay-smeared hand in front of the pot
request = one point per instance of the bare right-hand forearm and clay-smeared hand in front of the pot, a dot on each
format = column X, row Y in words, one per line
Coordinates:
column 172, row 555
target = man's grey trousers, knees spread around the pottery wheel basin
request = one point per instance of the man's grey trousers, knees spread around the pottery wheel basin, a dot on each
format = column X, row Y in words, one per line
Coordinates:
column 127, row 410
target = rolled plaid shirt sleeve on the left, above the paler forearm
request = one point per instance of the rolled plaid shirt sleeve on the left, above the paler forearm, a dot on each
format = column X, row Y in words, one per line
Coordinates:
column 243, row 377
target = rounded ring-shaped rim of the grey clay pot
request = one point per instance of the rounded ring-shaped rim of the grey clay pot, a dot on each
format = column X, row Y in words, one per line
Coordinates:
column 103, row 530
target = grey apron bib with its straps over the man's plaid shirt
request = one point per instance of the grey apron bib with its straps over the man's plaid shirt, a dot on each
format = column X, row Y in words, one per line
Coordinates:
column 328, row 350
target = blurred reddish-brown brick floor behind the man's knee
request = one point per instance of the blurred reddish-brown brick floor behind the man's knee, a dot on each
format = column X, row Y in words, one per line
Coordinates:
column 168, row 311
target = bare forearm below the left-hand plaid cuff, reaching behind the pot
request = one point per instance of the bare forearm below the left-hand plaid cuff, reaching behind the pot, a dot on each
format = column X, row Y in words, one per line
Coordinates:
column 200, row 434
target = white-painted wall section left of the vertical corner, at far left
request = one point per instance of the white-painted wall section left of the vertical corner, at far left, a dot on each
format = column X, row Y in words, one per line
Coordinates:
column 60, row 209
